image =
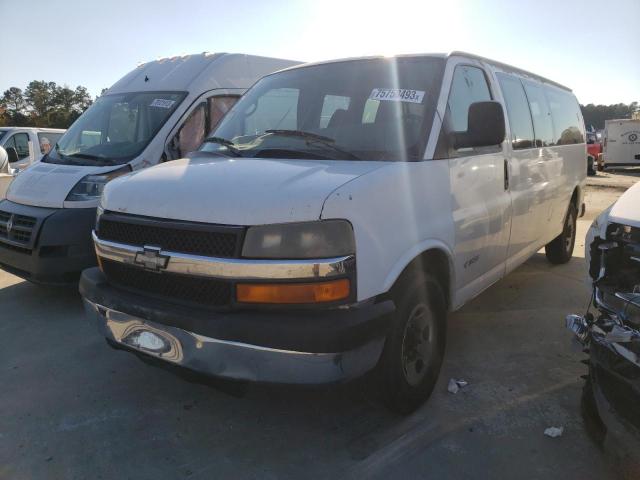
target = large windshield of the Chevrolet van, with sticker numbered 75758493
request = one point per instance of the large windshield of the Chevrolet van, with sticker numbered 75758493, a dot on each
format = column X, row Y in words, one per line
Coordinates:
column 369, row 109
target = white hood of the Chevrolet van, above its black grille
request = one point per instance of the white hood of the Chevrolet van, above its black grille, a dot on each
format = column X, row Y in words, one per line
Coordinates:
column 232, row 191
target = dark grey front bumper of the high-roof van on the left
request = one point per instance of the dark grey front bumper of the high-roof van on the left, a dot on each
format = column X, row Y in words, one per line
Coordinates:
column 59, row 248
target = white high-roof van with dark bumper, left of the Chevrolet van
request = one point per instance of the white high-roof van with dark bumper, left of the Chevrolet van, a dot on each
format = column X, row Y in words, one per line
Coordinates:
column 159, row 111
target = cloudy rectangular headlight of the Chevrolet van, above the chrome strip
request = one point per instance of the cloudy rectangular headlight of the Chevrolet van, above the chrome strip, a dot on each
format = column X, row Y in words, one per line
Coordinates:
column 321, row 239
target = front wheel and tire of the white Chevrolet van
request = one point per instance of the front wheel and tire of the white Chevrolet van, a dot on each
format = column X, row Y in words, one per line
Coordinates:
column 414, row 349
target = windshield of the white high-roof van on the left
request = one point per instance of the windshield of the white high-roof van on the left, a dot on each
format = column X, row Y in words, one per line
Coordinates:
column 115, row 129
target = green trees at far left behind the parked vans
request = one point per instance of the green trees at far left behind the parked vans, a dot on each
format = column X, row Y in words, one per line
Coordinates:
column 43, row 104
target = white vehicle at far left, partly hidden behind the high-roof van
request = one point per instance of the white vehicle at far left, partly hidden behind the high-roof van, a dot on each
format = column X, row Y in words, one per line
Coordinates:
column 26, row 145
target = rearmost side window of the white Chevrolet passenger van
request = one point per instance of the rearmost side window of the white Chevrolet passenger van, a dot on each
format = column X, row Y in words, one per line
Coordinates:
column 566, row 116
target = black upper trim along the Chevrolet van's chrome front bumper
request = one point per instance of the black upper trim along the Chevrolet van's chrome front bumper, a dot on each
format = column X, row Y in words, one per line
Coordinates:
column 325, row 330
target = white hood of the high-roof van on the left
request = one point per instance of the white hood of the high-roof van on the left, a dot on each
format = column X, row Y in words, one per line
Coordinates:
column 48, row 184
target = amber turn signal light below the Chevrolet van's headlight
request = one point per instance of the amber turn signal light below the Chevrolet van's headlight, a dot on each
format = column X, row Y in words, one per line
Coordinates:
column 318, row 292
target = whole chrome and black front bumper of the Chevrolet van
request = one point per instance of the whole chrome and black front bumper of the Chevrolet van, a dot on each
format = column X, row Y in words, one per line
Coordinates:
column 276, row 346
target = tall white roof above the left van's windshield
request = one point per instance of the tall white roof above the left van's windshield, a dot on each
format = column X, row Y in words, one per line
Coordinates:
column 200, row 72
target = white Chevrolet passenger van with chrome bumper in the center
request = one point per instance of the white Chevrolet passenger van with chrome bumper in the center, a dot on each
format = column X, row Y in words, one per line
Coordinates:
column 335, row 216
